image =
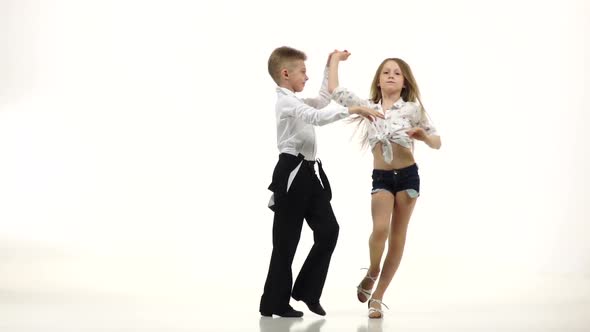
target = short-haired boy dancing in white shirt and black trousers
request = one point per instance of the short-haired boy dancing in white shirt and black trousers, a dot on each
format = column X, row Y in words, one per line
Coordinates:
column 297, row 192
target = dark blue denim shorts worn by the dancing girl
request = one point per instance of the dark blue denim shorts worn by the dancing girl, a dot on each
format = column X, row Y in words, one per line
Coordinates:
column 396, row 180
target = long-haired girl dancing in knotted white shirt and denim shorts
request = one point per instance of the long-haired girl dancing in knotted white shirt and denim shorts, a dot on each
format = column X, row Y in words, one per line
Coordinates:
column 396, row 183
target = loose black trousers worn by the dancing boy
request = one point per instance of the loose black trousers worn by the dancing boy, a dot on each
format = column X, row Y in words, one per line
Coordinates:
column 306, row 199
